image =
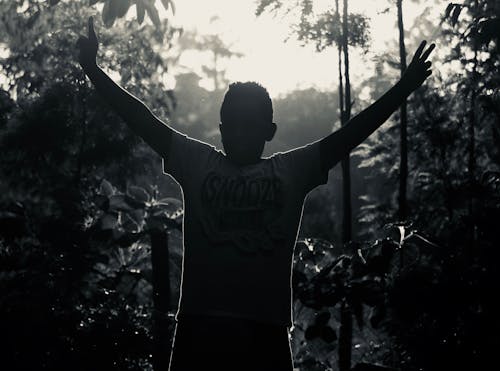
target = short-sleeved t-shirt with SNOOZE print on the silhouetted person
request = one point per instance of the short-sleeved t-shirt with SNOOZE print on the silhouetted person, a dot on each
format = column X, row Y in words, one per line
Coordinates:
column 240, row 227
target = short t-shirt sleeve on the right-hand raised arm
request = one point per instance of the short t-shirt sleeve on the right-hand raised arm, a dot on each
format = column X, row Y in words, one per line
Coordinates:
column 304, row 165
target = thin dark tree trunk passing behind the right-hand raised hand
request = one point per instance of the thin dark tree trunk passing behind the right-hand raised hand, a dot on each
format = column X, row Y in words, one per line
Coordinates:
column 403, row 165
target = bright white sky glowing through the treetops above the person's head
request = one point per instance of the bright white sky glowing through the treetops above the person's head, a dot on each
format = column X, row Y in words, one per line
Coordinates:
column 281, row 66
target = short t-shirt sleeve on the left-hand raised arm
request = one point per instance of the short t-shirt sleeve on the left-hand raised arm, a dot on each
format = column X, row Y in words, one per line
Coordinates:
column 186, row 157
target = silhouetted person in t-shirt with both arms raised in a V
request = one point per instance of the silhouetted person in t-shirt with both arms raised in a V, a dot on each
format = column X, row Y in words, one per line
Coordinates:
column 242, row 214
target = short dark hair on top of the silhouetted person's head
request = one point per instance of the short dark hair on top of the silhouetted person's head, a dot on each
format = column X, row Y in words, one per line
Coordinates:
column 249, row 90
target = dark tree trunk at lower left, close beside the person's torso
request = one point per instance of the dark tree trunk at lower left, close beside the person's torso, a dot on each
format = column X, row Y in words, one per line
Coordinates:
column 161, row 300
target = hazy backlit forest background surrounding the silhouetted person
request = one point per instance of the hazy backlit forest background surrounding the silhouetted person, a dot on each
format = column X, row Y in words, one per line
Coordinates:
column 396, row 263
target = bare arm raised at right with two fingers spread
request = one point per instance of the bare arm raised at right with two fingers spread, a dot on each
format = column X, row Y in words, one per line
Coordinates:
column 337, row 145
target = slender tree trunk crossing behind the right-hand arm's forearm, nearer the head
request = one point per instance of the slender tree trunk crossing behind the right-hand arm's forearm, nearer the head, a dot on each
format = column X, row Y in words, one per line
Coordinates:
column 346, row 171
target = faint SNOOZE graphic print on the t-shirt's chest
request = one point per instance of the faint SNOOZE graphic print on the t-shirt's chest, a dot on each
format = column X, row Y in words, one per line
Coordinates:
column 243, row 210
